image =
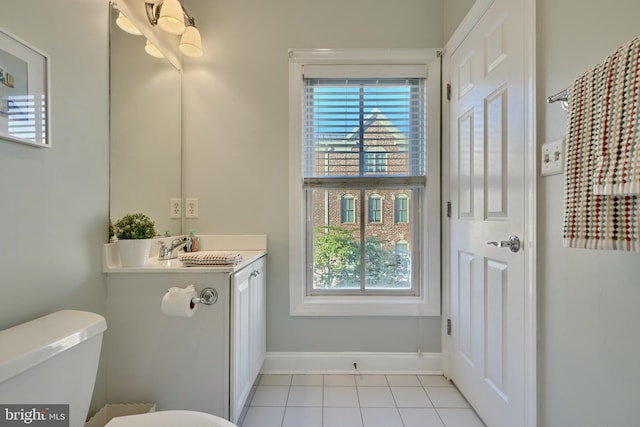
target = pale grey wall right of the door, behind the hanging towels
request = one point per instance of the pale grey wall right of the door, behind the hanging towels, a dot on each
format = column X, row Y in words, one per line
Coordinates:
column 588, row 300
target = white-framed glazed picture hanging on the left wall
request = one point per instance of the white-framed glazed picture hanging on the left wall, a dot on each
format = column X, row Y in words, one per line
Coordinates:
column 24, row 92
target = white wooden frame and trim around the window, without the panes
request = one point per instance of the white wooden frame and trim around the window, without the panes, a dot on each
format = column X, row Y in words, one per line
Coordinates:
column 427, row 303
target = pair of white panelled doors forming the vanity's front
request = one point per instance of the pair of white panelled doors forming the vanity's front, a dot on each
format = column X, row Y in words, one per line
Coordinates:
column 248, row 347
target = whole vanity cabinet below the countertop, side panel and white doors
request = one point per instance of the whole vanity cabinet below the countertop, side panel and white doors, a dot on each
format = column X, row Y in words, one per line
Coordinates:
column 207, row 362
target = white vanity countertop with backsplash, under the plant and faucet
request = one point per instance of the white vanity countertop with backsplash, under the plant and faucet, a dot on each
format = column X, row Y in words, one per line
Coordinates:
column 251, row 247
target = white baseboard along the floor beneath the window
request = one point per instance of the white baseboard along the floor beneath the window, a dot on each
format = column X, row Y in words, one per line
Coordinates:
column 343, row 363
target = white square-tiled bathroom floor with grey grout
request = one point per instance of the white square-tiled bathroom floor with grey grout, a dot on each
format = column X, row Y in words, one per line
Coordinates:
column 358, row 401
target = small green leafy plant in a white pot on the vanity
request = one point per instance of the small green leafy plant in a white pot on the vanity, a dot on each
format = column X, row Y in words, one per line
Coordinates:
column 134, row 232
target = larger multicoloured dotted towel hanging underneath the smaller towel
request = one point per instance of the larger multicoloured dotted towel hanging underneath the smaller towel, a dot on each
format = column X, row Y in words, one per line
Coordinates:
column 592, row 221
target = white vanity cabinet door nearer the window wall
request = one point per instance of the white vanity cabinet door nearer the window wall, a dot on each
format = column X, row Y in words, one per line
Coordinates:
column 258, row 317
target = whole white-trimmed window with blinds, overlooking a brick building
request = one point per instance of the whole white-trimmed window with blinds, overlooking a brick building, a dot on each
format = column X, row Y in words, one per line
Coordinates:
column 364, row 125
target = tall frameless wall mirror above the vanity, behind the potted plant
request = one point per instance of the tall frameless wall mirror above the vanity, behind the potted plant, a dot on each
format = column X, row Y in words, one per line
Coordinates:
column 146, row 132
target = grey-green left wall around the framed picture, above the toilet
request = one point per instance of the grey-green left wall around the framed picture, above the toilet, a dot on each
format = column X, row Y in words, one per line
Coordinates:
column 54, row 202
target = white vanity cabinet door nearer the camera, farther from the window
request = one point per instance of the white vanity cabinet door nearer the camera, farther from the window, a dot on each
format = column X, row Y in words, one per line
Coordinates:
column 241, row 341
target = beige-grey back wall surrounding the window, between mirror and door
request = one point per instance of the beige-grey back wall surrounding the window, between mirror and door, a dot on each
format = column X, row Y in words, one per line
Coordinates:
column 236, row 140
